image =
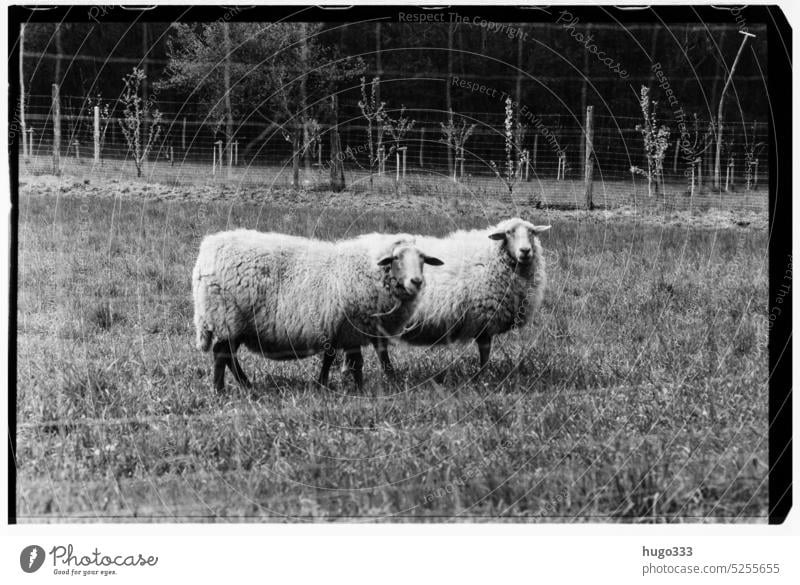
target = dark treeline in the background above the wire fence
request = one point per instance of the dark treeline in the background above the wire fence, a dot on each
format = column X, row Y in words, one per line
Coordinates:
column 553, row 68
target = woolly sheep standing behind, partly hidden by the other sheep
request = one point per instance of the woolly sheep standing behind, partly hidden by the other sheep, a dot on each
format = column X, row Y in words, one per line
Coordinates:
column 492, row 281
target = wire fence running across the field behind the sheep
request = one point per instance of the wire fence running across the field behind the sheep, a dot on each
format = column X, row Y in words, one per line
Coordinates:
column 548, row 152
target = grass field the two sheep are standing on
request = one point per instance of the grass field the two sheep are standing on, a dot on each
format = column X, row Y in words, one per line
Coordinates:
column 639, row 393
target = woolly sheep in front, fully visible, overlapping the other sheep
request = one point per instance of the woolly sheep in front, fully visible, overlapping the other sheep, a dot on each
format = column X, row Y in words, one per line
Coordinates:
column 288, row 297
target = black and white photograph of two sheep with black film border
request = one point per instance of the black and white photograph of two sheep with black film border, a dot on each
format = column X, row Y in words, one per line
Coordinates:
column 399, row 264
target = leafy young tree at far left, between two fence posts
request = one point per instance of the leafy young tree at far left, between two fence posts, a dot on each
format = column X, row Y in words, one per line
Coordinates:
column 136, row 112
